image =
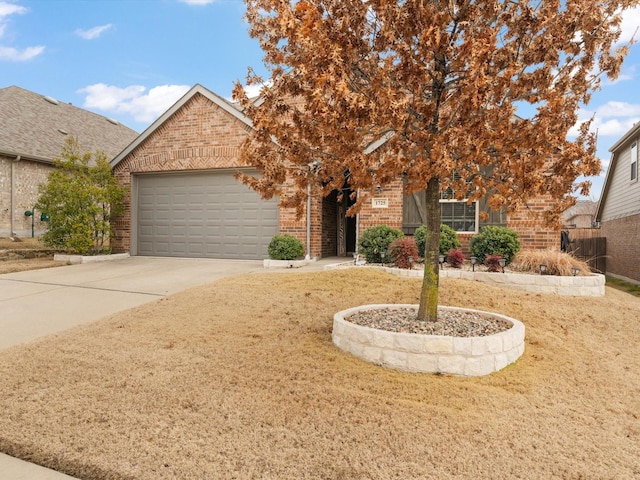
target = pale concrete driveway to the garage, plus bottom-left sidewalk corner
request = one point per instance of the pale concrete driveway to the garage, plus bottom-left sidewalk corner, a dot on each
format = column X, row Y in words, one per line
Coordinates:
column 38, row 303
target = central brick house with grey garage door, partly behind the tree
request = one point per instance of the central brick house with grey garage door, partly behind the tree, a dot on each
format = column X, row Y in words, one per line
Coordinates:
column 184, row 200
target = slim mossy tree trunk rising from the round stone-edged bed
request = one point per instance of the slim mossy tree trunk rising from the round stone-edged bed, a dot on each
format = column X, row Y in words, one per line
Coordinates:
column 428, row 311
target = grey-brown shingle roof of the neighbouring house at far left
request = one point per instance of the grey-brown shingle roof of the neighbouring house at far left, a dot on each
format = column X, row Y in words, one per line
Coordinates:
column 36, row 126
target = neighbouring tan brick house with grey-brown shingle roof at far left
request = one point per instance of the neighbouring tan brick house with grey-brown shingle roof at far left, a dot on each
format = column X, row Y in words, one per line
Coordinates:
column 33, row 129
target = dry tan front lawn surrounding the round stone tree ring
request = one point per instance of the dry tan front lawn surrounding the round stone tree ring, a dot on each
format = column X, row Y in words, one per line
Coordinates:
column 239, row 379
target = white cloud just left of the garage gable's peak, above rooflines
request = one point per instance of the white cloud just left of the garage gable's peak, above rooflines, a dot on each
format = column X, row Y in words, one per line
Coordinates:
column 133, row 100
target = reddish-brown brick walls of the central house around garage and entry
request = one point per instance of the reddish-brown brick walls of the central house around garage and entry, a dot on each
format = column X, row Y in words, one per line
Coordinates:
column 203, row 136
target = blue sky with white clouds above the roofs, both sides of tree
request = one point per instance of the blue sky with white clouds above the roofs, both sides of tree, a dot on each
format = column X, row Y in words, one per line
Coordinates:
column 132, row 59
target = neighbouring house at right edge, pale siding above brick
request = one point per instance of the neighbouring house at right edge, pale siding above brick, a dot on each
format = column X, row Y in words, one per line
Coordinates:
column 619, row 208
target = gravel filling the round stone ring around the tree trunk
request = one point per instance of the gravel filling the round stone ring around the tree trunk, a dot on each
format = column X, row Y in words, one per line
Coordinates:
column 450, row 323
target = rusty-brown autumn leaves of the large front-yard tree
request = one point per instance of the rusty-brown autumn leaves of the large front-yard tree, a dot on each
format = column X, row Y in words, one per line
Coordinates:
column 438, row 84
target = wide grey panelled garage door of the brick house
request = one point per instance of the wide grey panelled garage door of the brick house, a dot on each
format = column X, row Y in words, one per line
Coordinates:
column 202, row 214
